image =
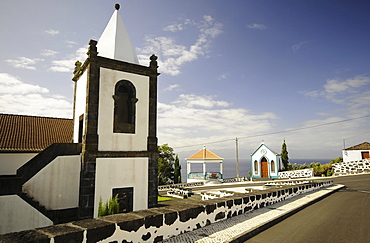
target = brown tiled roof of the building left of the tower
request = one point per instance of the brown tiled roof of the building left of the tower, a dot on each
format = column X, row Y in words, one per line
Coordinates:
column 19, row 133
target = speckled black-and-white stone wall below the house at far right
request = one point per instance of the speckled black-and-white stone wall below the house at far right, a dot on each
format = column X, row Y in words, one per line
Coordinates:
column 353, row 167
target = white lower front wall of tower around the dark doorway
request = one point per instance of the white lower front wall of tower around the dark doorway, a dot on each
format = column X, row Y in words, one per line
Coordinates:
column 119, row 173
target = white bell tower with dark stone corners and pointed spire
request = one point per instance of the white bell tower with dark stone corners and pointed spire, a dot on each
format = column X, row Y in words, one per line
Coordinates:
column 115, row 113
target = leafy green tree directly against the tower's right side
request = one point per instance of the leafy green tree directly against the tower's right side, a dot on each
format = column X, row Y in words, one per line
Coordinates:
column 166, row 158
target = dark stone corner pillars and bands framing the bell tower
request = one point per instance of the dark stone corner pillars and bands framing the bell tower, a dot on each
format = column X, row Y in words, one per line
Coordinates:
column 90, row 140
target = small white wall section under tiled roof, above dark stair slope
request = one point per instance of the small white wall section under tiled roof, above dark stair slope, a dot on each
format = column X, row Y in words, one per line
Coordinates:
column 10, row 162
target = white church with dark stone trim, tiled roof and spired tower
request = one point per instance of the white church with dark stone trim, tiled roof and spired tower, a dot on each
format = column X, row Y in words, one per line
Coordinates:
column 55, row 170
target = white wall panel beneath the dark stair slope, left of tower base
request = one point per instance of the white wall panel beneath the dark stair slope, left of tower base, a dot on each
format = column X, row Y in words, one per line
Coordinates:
column 57, row 185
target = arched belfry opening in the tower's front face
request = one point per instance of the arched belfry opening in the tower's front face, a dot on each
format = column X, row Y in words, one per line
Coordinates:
column 124, row 107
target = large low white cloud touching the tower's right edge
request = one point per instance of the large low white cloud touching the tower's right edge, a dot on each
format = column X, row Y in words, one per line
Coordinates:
column 195, row 119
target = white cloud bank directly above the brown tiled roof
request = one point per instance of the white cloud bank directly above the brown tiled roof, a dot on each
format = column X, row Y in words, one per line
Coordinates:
column 18, row 97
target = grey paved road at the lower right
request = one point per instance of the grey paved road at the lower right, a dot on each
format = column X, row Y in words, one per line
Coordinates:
column 341, row 217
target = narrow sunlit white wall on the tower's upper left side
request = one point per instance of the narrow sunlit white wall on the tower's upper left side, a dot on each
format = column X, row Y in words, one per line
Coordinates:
column 80, row 105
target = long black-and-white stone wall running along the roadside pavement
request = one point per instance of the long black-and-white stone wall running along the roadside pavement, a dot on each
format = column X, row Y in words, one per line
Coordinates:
column 156, row 224
